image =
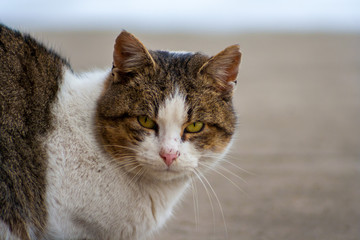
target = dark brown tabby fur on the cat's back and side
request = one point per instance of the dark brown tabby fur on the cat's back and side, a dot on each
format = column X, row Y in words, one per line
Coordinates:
column 30, row 76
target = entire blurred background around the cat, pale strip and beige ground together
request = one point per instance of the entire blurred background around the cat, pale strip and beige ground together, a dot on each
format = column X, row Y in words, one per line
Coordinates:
column 294, row 170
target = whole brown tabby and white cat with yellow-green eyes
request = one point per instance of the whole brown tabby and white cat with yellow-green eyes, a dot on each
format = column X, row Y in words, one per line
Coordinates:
column 106, row 154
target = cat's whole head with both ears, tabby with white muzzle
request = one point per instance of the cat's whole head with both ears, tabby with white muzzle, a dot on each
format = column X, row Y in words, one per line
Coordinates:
column 166, row 114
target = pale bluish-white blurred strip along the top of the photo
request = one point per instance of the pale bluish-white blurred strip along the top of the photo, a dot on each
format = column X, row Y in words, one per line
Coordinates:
column 184, row 15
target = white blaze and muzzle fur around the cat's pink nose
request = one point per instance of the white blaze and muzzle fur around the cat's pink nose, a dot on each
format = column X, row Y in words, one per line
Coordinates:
column 171, row 119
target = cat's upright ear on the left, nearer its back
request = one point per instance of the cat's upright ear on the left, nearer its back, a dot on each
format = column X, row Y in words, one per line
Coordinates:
column 130, row 55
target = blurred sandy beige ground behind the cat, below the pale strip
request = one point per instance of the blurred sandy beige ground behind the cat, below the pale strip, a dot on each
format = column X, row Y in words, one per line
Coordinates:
column 298, row 100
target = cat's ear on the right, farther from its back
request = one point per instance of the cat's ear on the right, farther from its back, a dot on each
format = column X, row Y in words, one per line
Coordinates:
column 223, row 68
